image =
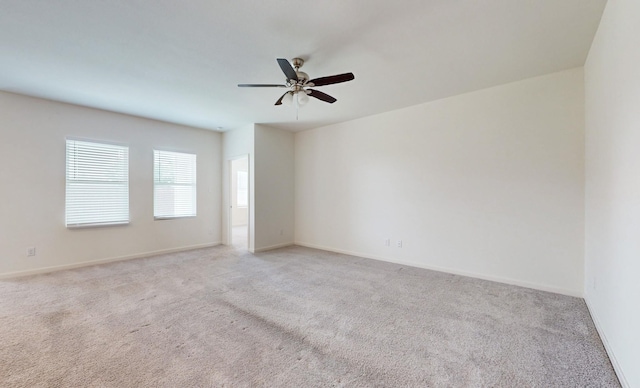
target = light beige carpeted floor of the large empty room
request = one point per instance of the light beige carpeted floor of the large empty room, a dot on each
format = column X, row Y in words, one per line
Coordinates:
column 293, row 317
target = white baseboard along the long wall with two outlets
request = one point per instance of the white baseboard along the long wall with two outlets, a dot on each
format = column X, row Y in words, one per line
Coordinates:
column 514, row 282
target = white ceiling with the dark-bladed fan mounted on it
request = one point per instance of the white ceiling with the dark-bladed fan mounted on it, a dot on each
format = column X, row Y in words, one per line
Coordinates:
column 181, row 61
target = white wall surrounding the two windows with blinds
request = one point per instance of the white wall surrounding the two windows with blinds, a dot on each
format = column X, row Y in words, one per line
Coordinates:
column 32, row 171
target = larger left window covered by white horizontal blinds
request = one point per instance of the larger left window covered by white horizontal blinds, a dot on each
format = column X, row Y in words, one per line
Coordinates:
column 97, row 190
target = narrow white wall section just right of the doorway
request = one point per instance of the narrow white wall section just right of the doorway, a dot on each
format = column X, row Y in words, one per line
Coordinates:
column 274, row 187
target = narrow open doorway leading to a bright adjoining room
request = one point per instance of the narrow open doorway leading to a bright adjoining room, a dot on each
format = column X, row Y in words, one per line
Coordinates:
column 239, row 203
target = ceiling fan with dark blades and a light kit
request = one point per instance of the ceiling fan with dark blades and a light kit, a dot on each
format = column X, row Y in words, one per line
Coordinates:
column 298, row 83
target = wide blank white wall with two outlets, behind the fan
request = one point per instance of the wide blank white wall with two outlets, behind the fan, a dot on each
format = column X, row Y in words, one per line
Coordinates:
column 489, row 183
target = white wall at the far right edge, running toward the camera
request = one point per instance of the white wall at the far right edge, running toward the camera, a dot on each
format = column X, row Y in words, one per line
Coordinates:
column 612, row 79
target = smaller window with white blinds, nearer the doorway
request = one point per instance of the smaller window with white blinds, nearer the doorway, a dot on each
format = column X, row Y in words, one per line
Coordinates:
column 174, row 184
